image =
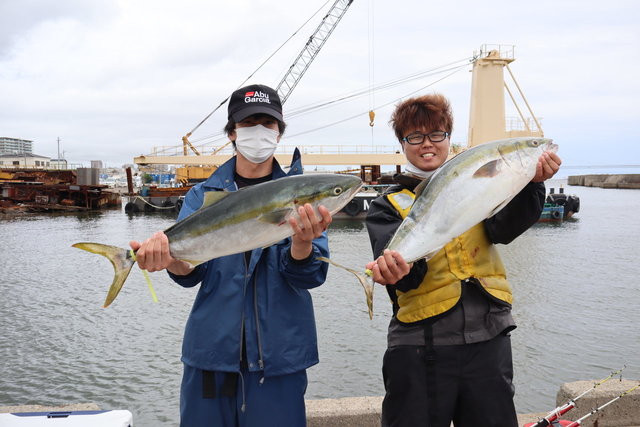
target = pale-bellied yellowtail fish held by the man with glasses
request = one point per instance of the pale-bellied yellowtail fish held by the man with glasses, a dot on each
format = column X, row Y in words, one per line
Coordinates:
column 463, row 192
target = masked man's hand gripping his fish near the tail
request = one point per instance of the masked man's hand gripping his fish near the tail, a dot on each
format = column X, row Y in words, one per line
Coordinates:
column 153, row 255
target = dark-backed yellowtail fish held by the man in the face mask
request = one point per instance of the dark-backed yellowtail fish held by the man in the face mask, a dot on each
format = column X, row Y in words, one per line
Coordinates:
column 238, row 221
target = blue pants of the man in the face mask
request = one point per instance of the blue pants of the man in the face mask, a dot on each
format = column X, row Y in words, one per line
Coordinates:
column 251, row 401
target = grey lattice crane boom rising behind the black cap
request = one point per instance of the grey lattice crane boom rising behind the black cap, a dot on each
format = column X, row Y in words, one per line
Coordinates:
column 311, row 48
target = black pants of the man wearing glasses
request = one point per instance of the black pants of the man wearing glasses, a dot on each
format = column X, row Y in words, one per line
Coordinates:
column 468, row 384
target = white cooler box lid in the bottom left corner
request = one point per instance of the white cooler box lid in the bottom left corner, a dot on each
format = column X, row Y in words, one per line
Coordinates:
column 120, row 418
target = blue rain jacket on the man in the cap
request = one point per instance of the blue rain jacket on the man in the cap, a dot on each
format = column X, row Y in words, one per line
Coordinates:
column 267, row 299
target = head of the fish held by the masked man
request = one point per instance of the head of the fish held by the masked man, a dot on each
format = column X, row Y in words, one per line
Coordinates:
column 333, row 191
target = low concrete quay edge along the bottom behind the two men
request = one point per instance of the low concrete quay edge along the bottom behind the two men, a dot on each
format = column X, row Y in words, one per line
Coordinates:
column 365, row 411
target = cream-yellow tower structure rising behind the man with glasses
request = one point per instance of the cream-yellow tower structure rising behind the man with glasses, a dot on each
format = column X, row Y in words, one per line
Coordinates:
column 487, row 121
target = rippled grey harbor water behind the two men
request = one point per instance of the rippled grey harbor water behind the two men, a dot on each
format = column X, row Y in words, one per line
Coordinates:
column 576, row 306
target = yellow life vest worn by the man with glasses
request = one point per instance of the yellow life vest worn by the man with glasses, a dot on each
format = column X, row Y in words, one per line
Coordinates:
column 469, row 255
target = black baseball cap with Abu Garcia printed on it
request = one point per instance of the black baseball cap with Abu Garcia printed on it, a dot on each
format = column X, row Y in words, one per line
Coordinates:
column 254, row 99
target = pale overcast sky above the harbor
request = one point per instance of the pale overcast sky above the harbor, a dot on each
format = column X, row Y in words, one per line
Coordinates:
column 115, row 78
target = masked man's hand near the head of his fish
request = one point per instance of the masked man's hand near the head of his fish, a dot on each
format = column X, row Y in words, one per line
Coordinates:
column 308, row 227
